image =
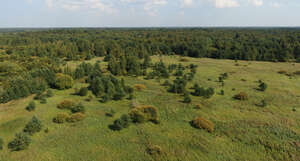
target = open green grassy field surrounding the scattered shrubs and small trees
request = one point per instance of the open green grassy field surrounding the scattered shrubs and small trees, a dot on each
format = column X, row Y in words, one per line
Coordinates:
column 243, row 131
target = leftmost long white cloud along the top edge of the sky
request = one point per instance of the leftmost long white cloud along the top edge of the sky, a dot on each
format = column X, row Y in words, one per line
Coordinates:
column 73, row 5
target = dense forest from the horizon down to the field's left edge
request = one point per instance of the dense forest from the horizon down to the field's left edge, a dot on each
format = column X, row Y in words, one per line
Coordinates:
column 30, row 61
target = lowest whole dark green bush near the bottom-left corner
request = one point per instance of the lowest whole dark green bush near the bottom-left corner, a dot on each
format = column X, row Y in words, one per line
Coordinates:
column 20, row 142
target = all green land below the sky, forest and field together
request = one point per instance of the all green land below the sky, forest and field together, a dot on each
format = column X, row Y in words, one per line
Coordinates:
column 143, row 91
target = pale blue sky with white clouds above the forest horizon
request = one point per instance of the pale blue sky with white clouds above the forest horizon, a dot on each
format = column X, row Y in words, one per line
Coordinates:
column 148, row 13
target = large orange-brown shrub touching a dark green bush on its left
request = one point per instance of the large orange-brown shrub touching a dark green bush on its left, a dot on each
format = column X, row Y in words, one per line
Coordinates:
column 144, row 113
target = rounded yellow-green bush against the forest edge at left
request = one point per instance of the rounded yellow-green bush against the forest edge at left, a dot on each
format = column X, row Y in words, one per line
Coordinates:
column 63, row 81
